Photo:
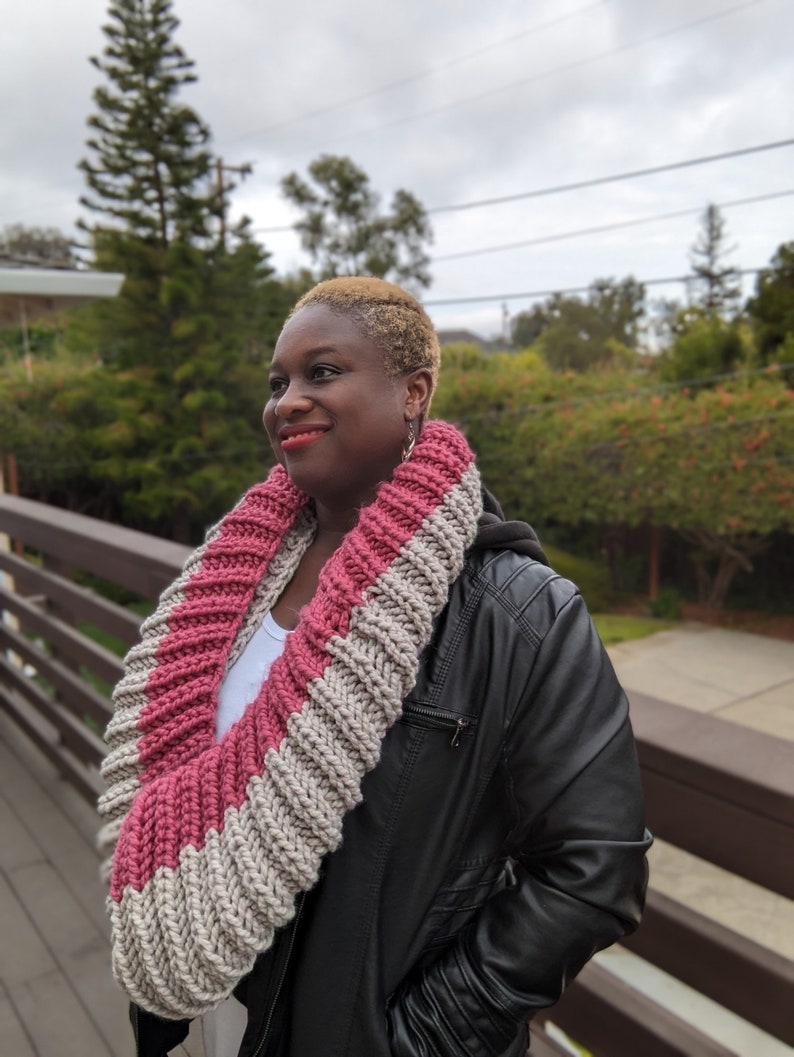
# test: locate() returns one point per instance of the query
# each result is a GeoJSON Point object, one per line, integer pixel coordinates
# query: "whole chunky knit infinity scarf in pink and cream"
{"type": "Point", "coordinates": [214, 841]}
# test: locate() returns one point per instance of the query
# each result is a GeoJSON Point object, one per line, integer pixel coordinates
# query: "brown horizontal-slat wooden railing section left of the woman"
{"type": "Point", "coordinates": [49, 670]}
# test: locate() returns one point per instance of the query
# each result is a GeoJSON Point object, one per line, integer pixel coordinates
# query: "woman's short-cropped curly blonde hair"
{"type": "Point", "coordinates": [386, 314]}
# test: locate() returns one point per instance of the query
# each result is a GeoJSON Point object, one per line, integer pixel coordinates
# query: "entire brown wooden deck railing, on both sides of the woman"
{"type": "Point", "coordinates": [723, 792]}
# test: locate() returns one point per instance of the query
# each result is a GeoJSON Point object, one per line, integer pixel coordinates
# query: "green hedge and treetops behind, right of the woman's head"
{"type": "Point", "coordinates": [584, 432]}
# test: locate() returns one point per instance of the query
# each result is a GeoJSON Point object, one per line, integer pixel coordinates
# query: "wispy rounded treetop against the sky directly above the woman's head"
{"type": "Point", "coordinates": [345, 231]}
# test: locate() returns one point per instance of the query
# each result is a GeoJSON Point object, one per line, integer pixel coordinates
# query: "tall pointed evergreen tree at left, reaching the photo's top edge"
{"type": "Point", "coordinates": [179, 432]}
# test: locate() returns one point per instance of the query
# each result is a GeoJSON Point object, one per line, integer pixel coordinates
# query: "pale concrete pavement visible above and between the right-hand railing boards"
{"type": "Point", "coordinates": [744, 679]}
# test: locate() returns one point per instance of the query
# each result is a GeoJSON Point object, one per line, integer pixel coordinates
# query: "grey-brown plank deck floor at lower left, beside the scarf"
{"type": "Point", "coordinates": [58, 996]}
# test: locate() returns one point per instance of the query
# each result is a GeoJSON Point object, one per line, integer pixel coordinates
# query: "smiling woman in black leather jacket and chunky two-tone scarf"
{"type": "Point", "coordinates": [402, 822]}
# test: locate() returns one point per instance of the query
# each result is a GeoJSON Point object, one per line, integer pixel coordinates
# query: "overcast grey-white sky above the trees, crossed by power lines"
{"type": "Point", "coordinates": [455, 103]}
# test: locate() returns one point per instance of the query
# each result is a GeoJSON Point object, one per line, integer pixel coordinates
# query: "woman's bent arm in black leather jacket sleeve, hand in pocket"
{"type": "Point", "coordinates": [579, 844]}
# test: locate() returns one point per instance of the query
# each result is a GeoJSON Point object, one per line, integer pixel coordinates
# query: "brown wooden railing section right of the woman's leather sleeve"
{"type": "Point", "coordinates": [726, 794]}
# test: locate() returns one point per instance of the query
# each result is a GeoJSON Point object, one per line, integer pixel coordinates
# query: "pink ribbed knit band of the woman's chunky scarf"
{"type": "Point", "coordinates": [190, 782]}
